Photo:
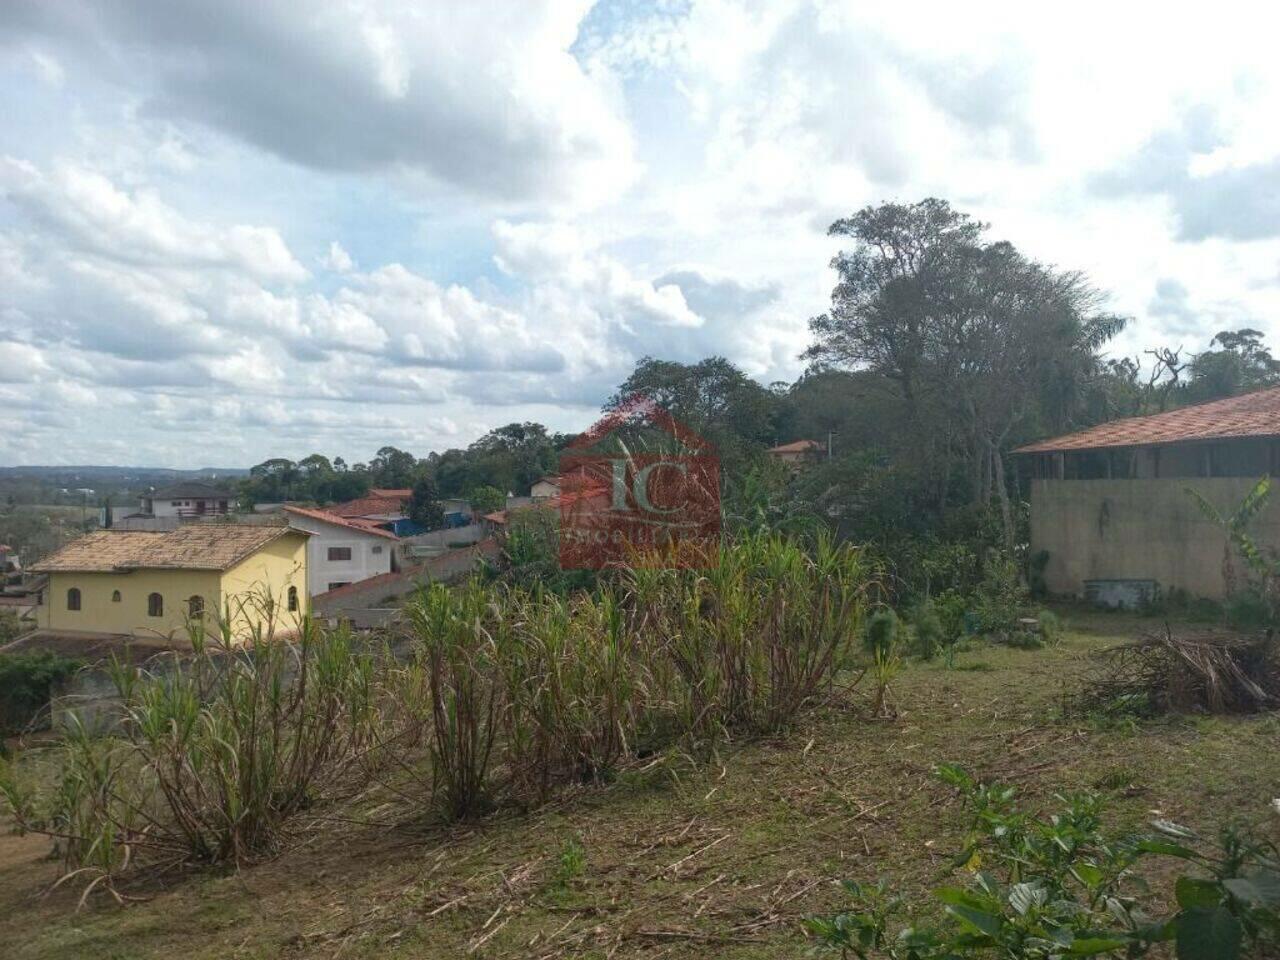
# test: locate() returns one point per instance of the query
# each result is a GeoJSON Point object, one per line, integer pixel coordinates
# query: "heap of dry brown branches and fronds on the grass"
{"type": "Point", "coordinates": [1204, 673]}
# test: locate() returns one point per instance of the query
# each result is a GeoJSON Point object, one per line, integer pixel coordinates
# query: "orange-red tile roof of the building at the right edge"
{"type": "Point", "coordinates": [1249, 415]}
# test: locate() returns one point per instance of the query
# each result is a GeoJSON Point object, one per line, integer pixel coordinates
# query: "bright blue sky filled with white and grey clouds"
{"type": "Point", "coordinates": [267, 228]}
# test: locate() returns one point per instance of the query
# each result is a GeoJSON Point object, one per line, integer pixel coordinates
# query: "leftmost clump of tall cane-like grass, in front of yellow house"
{"type": "Point", "coordinates": [213, 757]}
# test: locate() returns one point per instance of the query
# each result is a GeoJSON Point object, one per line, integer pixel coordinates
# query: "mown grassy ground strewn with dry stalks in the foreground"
{"type": "Point", "coordinates": [674, 860]}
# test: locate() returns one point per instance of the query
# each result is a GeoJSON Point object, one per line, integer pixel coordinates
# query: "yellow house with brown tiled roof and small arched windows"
{"type": "Point", "coordinates": [154, 584]}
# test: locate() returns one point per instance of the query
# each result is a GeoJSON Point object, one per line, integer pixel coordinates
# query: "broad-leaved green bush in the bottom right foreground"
{"type": "Point", "coordinates": [1059, 886]}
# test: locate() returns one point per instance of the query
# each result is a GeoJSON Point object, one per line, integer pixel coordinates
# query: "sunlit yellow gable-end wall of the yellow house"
{"type": "Point", "coordinates": [269, 573]}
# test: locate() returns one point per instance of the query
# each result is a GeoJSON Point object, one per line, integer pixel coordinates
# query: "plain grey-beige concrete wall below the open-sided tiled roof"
{"type": "Point", "coordinates": [1144, 529]}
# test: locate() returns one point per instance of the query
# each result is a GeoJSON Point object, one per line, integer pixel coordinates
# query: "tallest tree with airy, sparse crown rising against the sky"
{"type": "Point", "coordinates": [982, 341]}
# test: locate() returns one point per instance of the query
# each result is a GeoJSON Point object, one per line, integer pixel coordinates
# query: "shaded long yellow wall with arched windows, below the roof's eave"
{"type": "Point", "coordinates": [102, 615]}
